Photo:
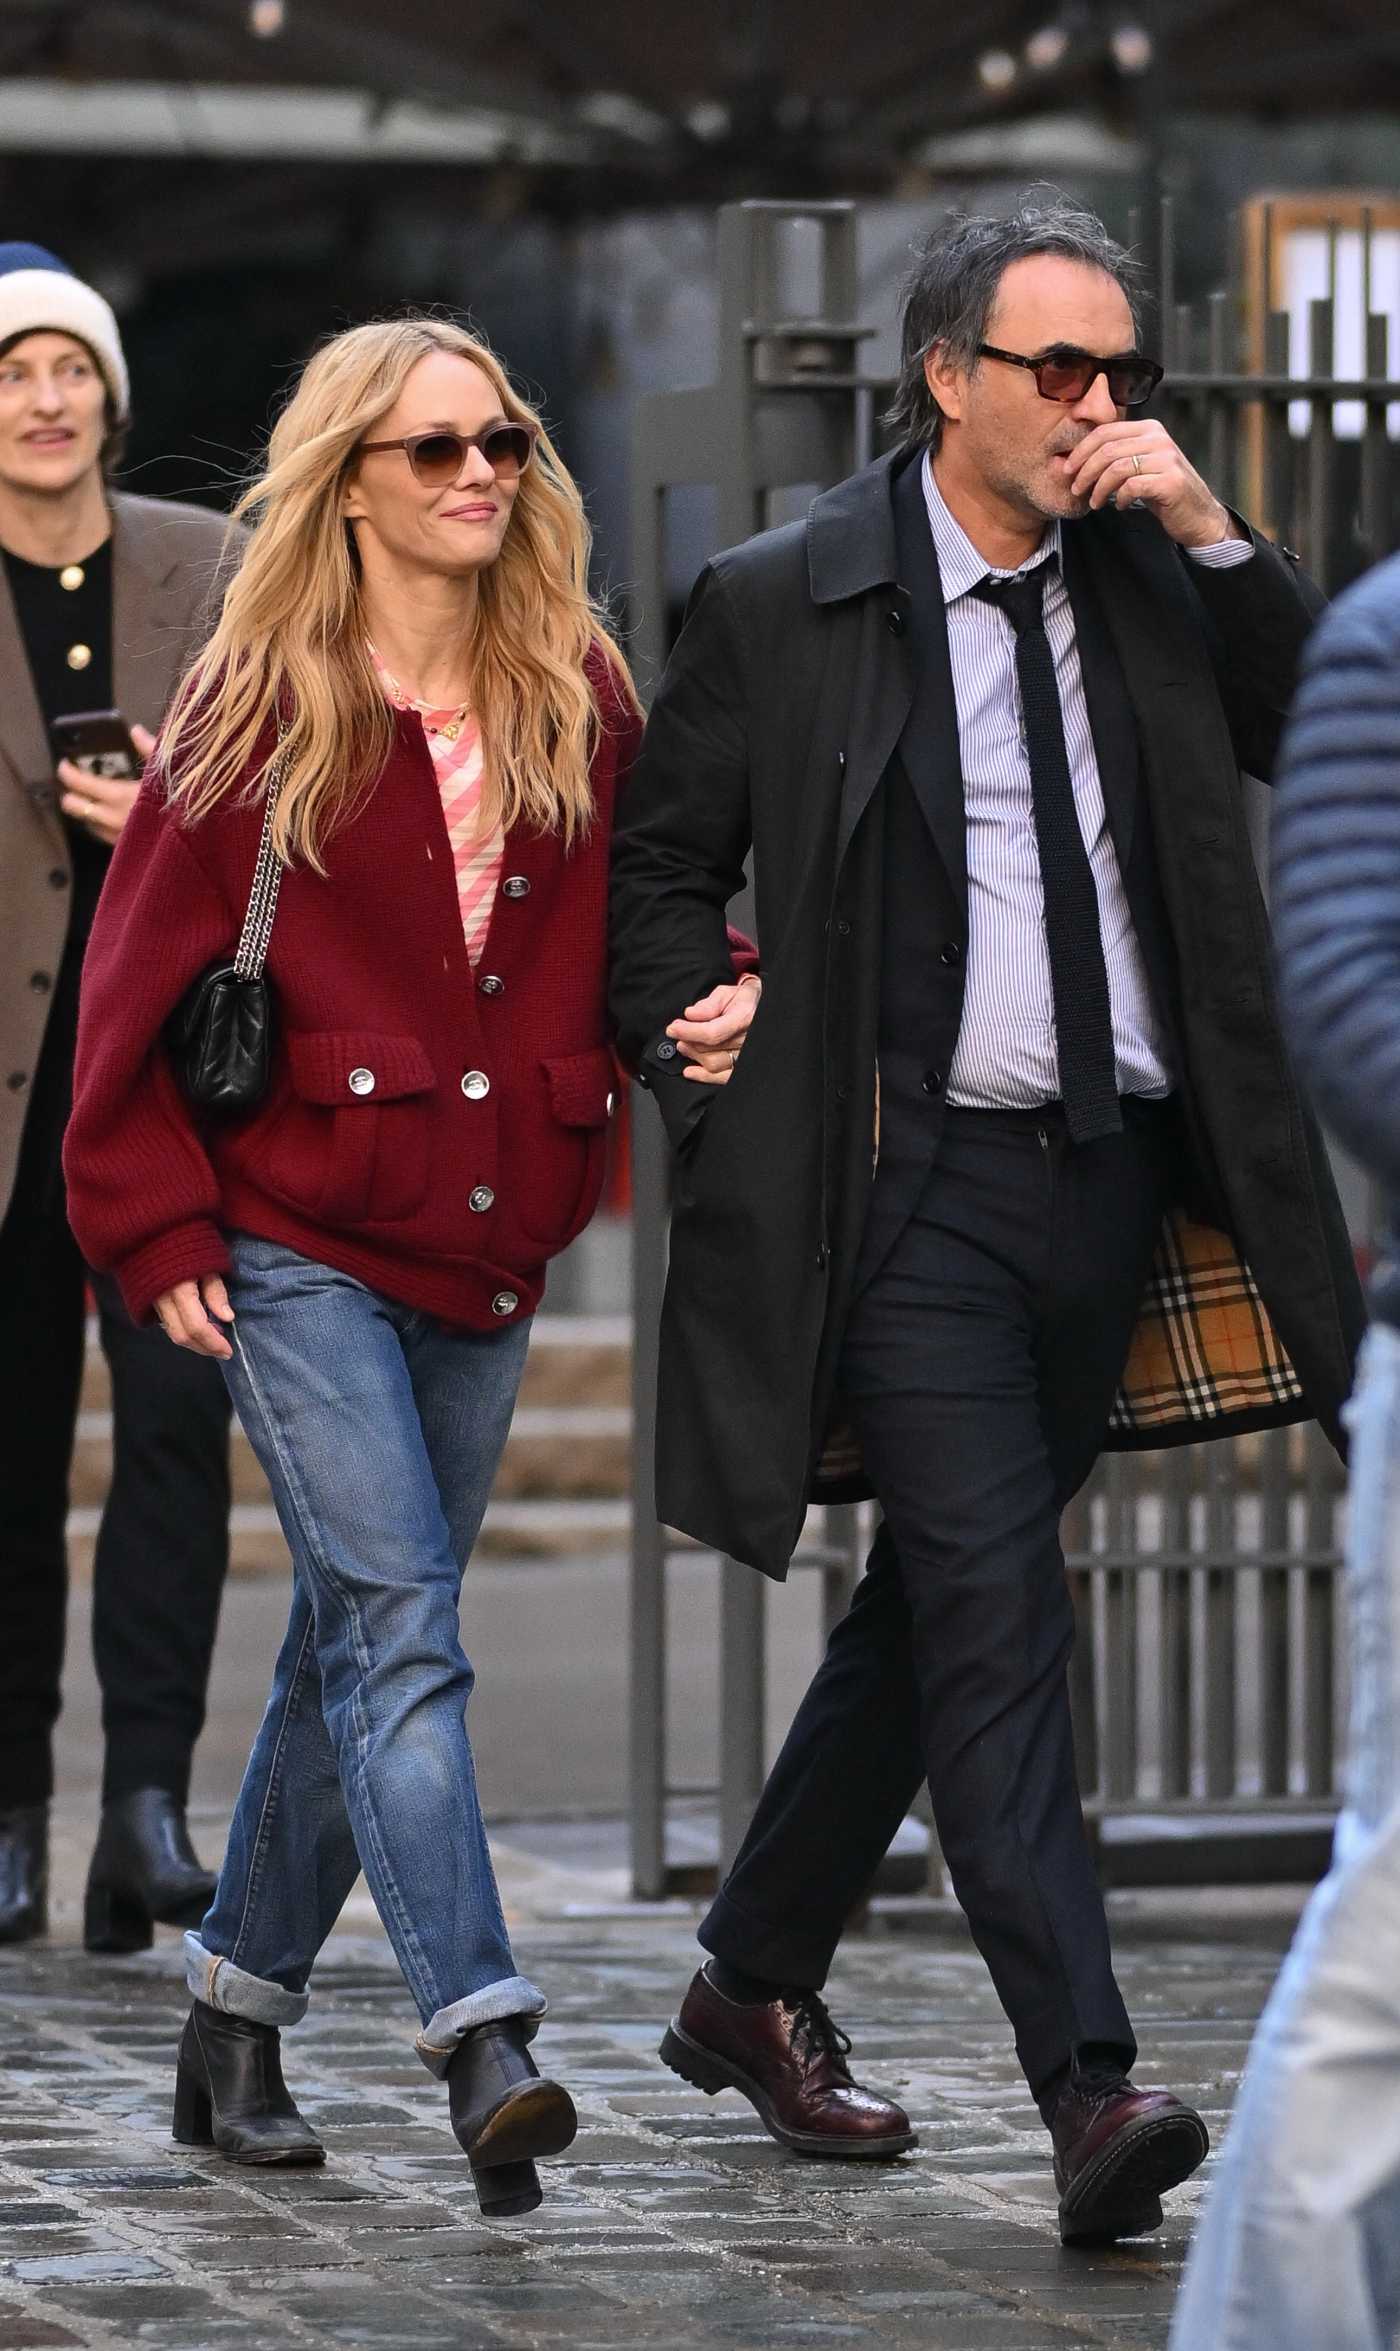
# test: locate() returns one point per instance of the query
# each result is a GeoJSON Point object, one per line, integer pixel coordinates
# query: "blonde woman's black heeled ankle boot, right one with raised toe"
{"type": "Point", "coordinates": [505, 2117]}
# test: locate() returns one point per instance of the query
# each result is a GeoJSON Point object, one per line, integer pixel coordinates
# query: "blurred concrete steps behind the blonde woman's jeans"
{"type": "Point", "coordinates": [561, 1487]}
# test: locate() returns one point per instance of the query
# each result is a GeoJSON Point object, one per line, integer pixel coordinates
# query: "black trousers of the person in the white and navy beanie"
{"type": "Point", "coordinates": [164, 1546]}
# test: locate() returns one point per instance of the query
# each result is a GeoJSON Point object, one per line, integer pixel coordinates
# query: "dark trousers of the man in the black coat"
{"type": "Point", "coordinates": [980, 1367]}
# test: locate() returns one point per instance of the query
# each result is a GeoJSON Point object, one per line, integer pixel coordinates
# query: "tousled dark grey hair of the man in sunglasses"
{"type": "Point", "coordinates": [954, 286]}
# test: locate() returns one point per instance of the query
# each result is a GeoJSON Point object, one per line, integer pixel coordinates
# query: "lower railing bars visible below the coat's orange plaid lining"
{"type": "Point", "coordinates": [1206, 1680]}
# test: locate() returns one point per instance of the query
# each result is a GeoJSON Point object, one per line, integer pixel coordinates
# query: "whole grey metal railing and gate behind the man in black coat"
{"type": "Point", "coordinates": [1206, 1581]}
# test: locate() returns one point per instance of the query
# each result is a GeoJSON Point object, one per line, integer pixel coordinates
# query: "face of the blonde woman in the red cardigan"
{"type": "Point", "coordinates": [451, 530]}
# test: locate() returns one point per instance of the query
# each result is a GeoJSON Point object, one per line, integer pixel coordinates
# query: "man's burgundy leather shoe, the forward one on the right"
{"type": "Point", "coordinates": [1116, 2150]}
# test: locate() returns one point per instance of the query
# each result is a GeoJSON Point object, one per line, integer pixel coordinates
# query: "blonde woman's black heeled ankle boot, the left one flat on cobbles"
{"type": "Point", "coordinates": [229, 2094]}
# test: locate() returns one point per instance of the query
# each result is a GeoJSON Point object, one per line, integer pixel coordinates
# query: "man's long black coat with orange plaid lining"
{"type": "Point", "coordinates": [782, 706]}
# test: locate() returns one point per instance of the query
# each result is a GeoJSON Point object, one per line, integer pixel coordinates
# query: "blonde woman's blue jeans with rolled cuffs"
{"type": "Point", "coordinates": [380, 1433]}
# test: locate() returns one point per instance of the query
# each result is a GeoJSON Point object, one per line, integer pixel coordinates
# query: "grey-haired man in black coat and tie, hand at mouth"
{"type": "Point", "coordinates": [1006, 1165]}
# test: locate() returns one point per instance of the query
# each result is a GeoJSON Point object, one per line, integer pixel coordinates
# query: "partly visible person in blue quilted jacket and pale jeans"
{"type": "Point", "coordinates": [1300, 2246]}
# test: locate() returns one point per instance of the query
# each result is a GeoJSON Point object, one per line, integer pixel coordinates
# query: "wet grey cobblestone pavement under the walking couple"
{"type": "Point", "coordinates": [674, 2221]}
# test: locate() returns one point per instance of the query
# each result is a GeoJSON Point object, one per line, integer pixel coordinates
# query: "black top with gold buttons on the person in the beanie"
{"type": "Point", "coordinates": [55, 619]}
